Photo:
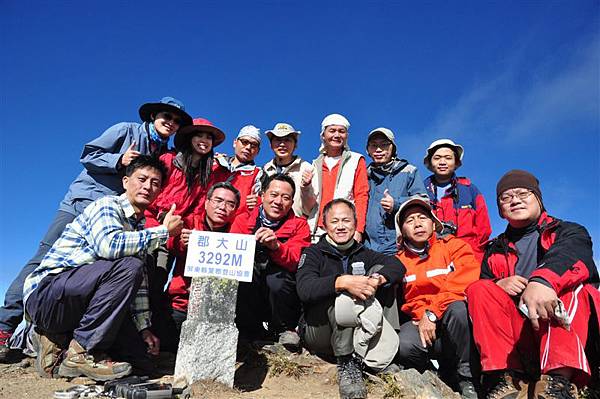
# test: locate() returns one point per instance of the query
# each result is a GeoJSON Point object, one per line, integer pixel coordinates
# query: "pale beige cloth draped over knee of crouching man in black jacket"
{"type": "Point", "coordinates": [375, 340]}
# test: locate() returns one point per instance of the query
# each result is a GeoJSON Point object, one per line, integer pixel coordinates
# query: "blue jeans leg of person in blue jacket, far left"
{"type": "Point", "coordinates": [11, 313]}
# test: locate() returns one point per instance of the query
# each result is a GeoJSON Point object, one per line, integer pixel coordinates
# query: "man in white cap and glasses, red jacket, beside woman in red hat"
{"type": "Point", "coordinates": [245, 175]}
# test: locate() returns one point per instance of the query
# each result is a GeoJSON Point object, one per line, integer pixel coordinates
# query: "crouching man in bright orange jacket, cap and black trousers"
{"type": "Point", "coordinates": [438, 270]}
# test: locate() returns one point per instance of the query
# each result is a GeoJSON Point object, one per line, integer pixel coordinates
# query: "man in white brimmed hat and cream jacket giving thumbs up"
{"type": "Point", "coordinates": [284, 141]}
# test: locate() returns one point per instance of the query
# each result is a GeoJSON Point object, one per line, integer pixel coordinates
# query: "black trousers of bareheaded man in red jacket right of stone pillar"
{"type": "Point", "coordinates": [271, 297]}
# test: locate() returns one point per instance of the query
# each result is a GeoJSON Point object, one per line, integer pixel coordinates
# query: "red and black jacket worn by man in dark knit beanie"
{"type": "Point", "coordinates": [565, 257]}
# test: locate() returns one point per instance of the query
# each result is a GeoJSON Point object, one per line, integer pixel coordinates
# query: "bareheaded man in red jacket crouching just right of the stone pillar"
{"type": "Point", "coordinates": [280, 237]}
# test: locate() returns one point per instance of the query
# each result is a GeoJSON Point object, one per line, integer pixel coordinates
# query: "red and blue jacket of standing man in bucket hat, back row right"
{"type": "Point", "coordinates": [464, 207]}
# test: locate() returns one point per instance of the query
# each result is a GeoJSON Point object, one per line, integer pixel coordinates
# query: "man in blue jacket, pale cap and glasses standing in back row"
{"type": "Point", "coordinates": [391, 182]}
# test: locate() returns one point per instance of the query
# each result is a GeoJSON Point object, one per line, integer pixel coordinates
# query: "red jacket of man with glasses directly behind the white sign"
{"type": "Point", "coordinates": [178, 290]}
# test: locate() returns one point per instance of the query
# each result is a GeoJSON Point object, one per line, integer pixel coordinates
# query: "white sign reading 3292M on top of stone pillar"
{"type": "Point", "coordinates": [223, 255]}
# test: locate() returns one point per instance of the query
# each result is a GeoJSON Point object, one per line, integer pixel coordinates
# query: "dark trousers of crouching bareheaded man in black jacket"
{"type": "Point", "coordinates": [322, 335]}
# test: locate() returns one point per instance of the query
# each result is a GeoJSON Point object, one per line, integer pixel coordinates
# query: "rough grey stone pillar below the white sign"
{"type": "Point", "coordinates": [208, 342]}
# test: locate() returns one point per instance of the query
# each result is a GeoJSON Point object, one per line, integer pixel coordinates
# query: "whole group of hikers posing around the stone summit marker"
{"type": "Point", "coordinates": [363, 264]}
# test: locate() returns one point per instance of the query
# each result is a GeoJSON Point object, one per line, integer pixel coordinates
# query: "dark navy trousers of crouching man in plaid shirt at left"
{"type": "Point", "coordinates": [92, 301]}
